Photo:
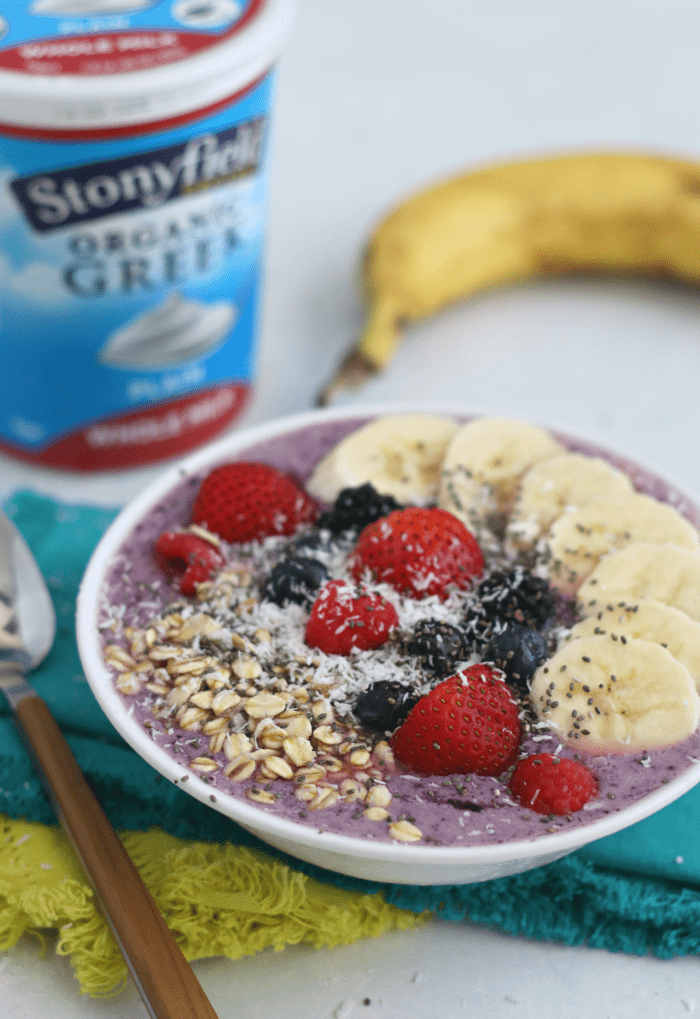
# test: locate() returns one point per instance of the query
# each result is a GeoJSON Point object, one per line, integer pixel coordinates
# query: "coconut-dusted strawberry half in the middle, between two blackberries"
{"type": "Point", "coordinates": [419, 552]}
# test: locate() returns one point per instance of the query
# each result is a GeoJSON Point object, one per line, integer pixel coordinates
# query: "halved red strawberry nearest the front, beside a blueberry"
{"type": "Point", "coordinates": [466, 725]}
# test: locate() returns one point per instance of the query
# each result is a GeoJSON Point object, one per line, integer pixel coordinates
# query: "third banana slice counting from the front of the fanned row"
{"type": "Point", "coordinates": [644, 570]}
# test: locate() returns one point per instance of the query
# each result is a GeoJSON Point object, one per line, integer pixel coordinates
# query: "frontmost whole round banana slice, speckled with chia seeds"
{"type": "Point", "coordinates": [605, 696]}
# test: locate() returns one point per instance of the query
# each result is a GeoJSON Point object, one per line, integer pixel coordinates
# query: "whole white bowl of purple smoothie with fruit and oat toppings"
{"type": "Point", "coordinates": [410, 646]}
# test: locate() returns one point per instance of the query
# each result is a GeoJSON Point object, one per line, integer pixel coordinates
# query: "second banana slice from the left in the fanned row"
{"type": "Point", "coordinates": [484, 463]}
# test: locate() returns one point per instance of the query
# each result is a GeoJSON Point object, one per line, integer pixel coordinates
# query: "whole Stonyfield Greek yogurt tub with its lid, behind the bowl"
{"type": "Point", "coordinates": [134, 168]}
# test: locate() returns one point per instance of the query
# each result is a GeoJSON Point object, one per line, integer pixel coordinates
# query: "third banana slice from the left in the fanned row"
{"type": "Point", "coordinates": [558, 485]}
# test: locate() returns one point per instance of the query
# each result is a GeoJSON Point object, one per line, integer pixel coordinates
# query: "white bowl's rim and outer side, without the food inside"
{"type": "Point", "coordinates": [395, 863]}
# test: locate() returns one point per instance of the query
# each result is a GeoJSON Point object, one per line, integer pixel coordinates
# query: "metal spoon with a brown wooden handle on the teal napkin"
{"type": "Point", "coordinates": [28, 626]}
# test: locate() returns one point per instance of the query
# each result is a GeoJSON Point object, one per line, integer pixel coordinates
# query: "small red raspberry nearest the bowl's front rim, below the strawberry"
{"type": "Point", "coordinates": [552, 785]}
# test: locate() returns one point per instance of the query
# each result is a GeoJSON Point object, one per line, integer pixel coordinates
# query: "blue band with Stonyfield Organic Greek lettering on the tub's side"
{"type": "Point", "coordinates": [130, 270]}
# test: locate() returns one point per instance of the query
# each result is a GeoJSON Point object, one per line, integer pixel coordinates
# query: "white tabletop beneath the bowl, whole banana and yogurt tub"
{"type": "Point", "coordinates": [375, 99]}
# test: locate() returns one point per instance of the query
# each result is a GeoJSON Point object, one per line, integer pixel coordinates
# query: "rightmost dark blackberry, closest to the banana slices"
{"type": "Point", "coordinates": [517, 596]}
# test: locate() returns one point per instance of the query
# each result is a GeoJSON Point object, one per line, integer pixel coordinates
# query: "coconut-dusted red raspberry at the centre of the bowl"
{"type": "Point", "coordinates": [345, 618]}
